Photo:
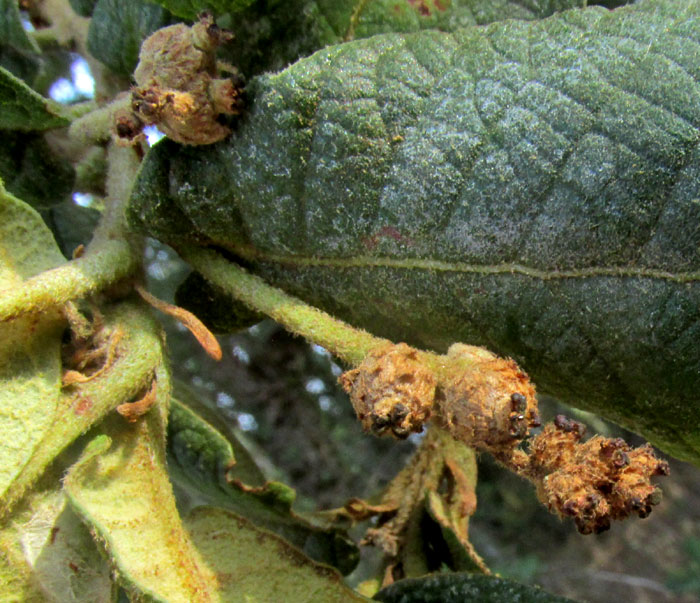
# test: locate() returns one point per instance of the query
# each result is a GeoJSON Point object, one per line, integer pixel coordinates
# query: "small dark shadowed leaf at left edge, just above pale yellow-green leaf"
{"type": "Point", "coordinates": [32, 171]}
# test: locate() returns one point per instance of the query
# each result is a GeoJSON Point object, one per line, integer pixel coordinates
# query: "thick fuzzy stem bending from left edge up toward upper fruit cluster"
{"type": "Point", "coordinates": [112, 255]}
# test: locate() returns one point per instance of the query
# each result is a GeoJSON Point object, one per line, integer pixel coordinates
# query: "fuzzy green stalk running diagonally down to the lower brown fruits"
{"type": "Point", "coordinates": [346, 342]}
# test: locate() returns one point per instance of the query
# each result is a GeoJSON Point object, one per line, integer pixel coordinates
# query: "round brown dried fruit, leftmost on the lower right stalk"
{"type": "Point", "coordinates": [391, 391]}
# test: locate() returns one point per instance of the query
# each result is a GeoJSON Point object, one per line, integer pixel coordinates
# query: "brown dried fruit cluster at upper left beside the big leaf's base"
{"type": "Point", "coordinates": [178, 87]}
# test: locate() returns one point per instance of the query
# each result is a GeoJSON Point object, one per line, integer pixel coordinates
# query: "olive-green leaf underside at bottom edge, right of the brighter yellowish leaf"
{"type": "Point", "coordinates": [252, 564]}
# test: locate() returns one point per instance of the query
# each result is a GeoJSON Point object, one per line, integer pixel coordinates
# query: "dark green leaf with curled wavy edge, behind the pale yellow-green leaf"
{"type": "Point", "coordinates": [199, 457]}
